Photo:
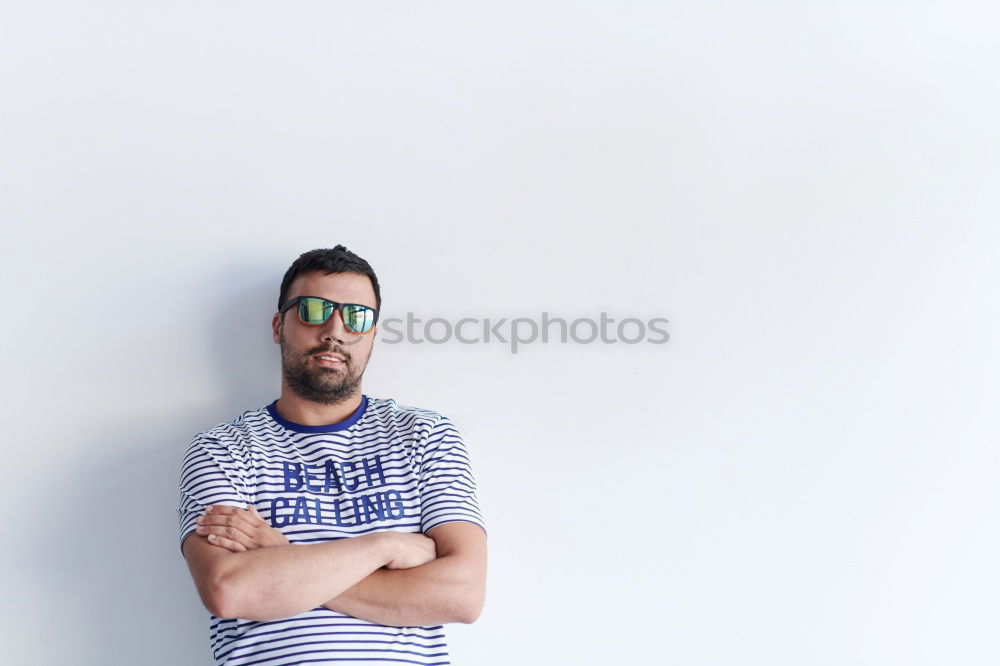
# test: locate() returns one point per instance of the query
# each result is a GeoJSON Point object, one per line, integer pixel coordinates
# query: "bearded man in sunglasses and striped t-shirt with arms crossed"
{"type": "Point", "coordinates": [331, 526]}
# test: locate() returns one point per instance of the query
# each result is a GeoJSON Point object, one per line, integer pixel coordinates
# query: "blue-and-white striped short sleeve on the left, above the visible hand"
{"type": "Point", "coordinates": [209, 475]}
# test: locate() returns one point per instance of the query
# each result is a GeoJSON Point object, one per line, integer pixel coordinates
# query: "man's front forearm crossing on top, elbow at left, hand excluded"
{"type": "Point", "coordinates": [280, 581]}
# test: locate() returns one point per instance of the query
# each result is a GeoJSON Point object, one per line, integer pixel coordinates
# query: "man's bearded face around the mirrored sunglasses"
{"type": "Point", "coordinates": [305, 373]}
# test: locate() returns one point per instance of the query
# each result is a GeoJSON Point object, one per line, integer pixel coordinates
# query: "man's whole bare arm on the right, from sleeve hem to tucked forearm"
{"type": "Point", "coordinates": [451, 588]}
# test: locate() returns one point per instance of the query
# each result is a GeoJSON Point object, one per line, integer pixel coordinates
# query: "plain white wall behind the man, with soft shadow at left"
{"type": "Point", "coordinates": [804, 474]}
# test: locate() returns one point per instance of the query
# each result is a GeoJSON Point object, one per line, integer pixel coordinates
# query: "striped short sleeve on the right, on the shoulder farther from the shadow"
{"type": "Point", "coordinates": [447, 486]}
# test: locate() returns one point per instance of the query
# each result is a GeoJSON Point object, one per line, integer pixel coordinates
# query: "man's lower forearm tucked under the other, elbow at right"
{"type": "Point", "coordinates": [433, 593]}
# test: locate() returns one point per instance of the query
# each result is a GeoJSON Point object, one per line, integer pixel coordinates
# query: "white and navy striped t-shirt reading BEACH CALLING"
{"type": "Point", "coordinates": [387, 467]}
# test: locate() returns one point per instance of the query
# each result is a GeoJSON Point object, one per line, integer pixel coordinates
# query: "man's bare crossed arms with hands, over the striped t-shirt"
{"type": "Point", "coordinates": [276, 581]}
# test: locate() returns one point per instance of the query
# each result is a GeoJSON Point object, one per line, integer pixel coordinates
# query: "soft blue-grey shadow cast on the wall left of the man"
{"type": "Point", "coordinates": [115, 551]}
